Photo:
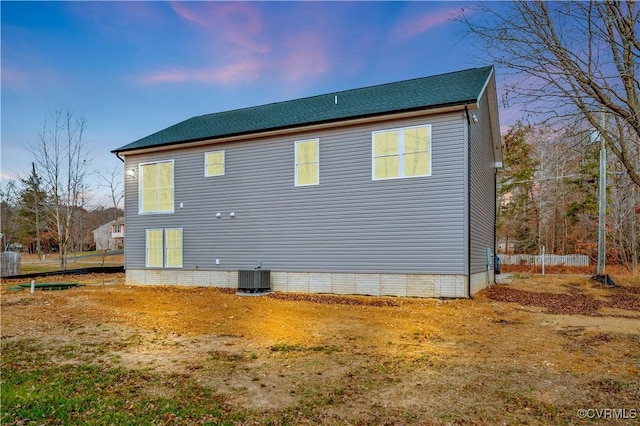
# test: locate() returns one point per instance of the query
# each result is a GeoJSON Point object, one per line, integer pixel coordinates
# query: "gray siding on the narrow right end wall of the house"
{"type": "Point", "coordinates": [482, 190]}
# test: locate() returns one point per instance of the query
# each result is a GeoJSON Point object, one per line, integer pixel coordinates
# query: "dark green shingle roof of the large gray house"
{"type": "Point", "coordinates": [456, 88]}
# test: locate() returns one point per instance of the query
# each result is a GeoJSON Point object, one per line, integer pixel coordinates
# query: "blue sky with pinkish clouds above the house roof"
{"type": "Point", "coordinates": [133, 68]}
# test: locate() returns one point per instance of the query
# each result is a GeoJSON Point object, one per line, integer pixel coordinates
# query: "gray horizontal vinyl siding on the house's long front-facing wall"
{"type": "Point", "coordinates": [346, 223]}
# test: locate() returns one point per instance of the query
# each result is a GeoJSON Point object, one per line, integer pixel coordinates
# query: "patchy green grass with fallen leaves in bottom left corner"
{"type": "Point", "coordinates": [36, 390]}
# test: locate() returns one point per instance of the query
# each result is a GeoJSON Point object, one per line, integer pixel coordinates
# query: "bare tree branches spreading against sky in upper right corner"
{"type": "Point", "coordinates": [569, 62]}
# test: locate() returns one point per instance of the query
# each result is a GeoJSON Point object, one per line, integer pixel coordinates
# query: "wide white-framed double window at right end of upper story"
{"type": "Point", "coordinates": [401, 153]}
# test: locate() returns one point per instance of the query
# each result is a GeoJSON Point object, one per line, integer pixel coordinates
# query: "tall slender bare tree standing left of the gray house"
{"type": "Point", "coordinates": [62, 160]}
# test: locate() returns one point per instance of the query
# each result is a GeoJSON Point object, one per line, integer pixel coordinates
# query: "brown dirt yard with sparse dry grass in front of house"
{"type": "Point", "coordinates": [536, 350]}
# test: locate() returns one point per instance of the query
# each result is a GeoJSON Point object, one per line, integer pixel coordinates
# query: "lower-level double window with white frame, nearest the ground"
{"type": "Point", "coordinates": [164, 248]}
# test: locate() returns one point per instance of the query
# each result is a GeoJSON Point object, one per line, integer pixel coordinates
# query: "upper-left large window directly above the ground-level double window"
{"type": "Point", "coordinates": [156, 187]}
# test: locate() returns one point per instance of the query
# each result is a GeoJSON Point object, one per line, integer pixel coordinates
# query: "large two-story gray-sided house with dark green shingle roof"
{"type": "Point", "coordinates": [382, 190]}
